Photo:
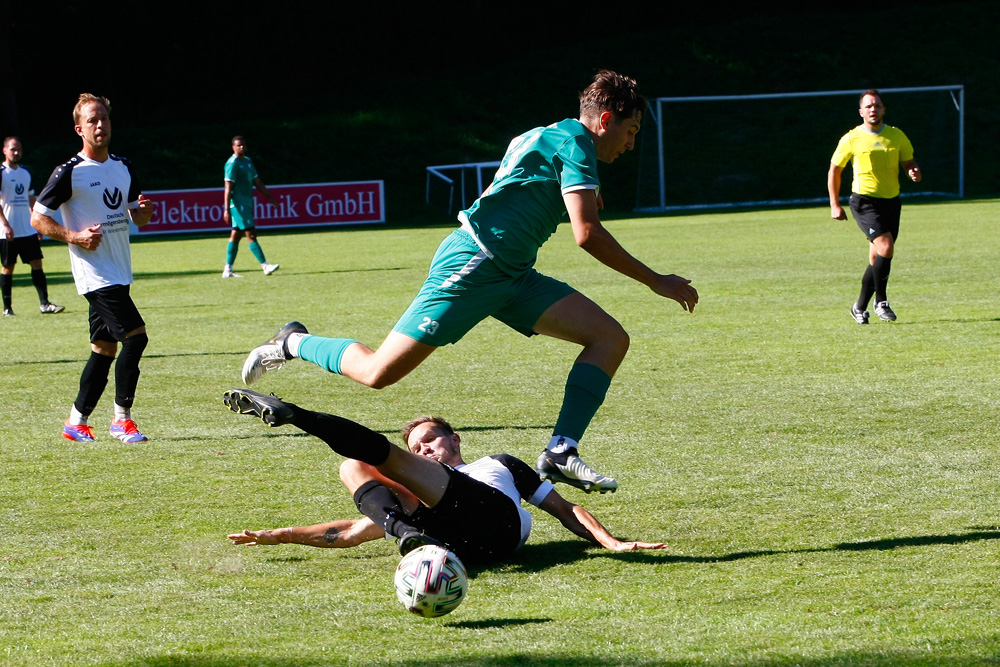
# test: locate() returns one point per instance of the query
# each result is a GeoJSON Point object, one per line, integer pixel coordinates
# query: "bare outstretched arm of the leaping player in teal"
{"type": "Point", "coordinates": [592, 236]}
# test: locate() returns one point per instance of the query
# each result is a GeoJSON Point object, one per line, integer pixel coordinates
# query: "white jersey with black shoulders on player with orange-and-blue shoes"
{"type": "Point", "coordinates": [85, 193]}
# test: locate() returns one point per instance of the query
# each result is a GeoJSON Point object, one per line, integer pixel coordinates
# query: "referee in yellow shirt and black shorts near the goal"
{"type": "Point", "coordinates": [877, 150]}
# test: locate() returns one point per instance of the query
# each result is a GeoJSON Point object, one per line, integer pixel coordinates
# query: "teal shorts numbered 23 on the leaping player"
{"type": "Point", "coordinates": [464, 287]}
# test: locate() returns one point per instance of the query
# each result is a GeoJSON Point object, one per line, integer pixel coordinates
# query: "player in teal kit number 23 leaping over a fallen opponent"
{"type": "Point", "coordinates": [485, 268]}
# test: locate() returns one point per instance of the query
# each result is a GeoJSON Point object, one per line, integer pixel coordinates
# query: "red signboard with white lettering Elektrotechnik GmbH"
{"type": "Point", "coordinates": [355, 203]}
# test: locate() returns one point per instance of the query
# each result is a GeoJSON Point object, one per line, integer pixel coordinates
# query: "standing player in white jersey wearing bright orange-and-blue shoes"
{"type": "Point", "coordinates": [96, 194]}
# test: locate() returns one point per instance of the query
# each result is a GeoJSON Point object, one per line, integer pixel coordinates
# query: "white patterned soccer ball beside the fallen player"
{"type": "Point", "coordinates": [431, 581]}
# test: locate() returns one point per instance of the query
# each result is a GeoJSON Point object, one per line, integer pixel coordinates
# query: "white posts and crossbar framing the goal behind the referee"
{"type": "Point", "coordinates": [656, 107]}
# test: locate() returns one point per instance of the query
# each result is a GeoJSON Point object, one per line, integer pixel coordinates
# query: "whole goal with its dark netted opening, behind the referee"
{"type": "Point", "coordinates": [722, 151]}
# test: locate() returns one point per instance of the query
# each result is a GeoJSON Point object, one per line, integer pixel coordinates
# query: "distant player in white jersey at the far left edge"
{"type": "Point", "coordinates": [17, 238]}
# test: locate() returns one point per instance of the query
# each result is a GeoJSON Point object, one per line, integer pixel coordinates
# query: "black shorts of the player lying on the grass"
{"type": "Point", "coordinates": [476, 521]}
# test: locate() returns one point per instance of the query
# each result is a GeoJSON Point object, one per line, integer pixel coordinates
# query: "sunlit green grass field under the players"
{"type": "Point", "coordinates": [828, 491]}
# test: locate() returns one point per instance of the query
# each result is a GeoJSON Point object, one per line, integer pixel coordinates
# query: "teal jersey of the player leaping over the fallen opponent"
{"type": "Point", "coordinates": [523, 205]}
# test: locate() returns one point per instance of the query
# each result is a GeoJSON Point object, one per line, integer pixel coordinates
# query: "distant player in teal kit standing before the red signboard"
{"type": "Point", "coordinates": [241, 177]}
